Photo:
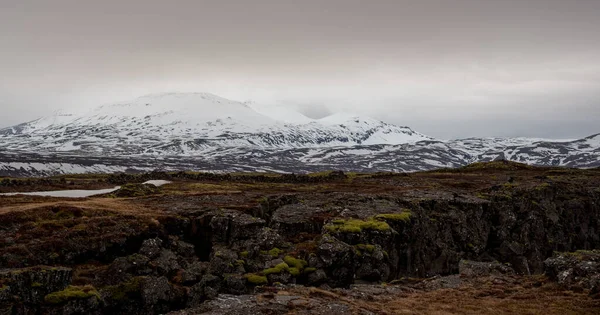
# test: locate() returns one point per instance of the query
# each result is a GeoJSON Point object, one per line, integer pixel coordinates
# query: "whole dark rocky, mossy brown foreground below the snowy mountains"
{"type": "Point", "coordinates": [488, 238]}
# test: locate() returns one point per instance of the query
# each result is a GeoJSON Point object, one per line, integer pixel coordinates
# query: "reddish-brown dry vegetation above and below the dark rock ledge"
{"type": "Point", "coordinates": [34, 226]}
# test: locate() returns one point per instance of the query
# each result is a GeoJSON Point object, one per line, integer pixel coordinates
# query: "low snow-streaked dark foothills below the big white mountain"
{"type": "Point", "coordinates": [409, 157]}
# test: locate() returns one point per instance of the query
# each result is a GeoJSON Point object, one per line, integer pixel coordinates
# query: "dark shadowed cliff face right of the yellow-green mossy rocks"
{"type": "Point", "coordinates": [521, 230]}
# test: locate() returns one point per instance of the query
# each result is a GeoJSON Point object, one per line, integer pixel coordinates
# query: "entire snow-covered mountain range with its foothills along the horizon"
{"type": "Point", "coordinates": [201, 131]}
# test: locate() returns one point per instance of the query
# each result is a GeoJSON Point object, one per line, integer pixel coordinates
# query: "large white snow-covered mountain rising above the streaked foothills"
{"type": "Point", "coordinates": [188, 124]}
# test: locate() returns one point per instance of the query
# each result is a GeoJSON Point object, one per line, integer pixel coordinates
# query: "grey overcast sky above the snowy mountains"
{"type": "Point", "coordinates": [446, 68]}
